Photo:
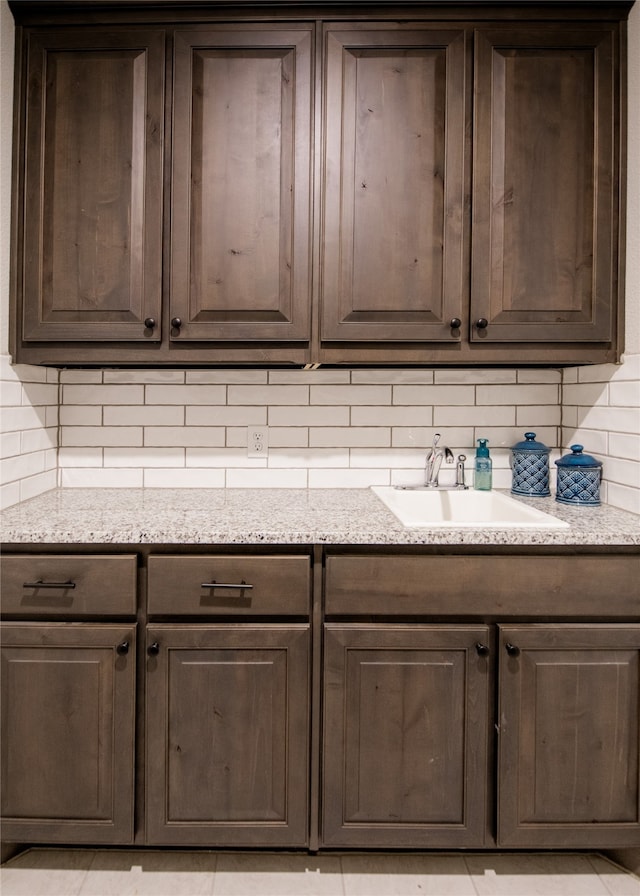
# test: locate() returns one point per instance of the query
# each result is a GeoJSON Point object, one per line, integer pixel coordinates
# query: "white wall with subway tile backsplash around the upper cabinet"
{"type": "Point", "coordinates": [327, 428]}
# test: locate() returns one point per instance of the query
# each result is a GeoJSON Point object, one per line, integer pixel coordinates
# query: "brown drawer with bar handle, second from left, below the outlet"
{"type": "Point", "coordinates": [221, 585]}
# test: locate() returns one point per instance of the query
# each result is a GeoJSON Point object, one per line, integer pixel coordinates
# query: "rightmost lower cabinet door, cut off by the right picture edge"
{"type": "Point", "coordinates": [569, 736]}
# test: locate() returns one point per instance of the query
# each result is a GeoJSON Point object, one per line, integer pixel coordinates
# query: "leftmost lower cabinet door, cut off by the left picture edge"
{"type": "Point", "coordinates": [68, 699]}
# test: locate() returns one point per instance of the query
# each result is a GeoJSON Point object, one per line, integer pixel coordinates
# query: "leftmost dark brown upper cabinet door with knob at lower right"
{"type": "Point", "coordinates": [92, 256]}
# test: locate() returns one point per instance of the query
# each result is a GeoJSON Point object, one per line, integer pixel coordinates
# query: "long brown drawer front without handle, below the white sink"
{"type": "Point", "coordinates": [541, 585]}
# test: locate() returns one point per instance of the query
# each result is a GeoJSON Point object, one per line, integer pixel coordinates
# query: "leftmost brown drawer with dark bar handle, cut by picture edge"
{"type": "Point", "coordinates": [56, 585]}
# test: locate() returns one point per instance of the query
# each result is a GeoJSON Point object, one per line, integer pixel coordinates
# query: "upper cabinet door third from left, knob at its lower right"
{"type": "Point", "coordinates": [394, 173]}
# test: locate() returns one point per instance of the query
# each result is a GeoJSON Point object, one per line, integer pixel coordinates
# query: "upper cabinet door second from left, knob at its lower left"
{"type": "Point", "coordinates": [241, 236]}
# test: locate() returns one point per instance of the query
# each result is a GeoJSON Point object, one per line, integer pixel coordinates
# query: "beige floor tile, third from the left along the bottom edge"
{"type": "Point", "coordinates": [277, 875]}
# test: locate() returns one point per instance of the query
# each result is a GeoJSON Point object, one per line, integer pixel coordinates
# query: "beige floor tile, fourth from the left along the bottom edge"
{"type": "Point", "coordinates": [406, 875]}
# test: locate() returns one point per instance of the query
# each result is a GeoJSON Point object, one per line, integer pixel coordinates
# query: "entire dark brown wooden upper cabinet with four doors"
{"type": "Point", "coordinates": [319, 187]}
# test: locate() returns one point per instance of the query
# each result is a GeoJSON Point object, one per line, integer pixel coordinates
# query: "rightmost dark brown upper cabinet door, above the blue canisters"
{"type": "Point", "coordinates": [545, 185]}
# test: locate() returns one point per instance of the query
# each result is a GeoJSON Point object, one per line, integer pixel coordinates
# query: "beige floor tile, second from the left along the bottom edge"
{"type": "Point", "coordinates": [148, 873]}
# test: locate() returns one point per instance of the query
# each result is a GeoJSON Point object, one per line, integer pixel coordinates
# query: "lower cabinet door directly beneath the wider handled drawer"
{"type": "Point", "coordinates": [227, 735]}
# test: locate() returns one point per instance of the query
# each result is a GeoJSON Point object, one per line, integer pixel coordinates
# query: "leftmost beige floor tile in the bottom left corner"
{"type": "Point", "coordinates": [44, 872]}
